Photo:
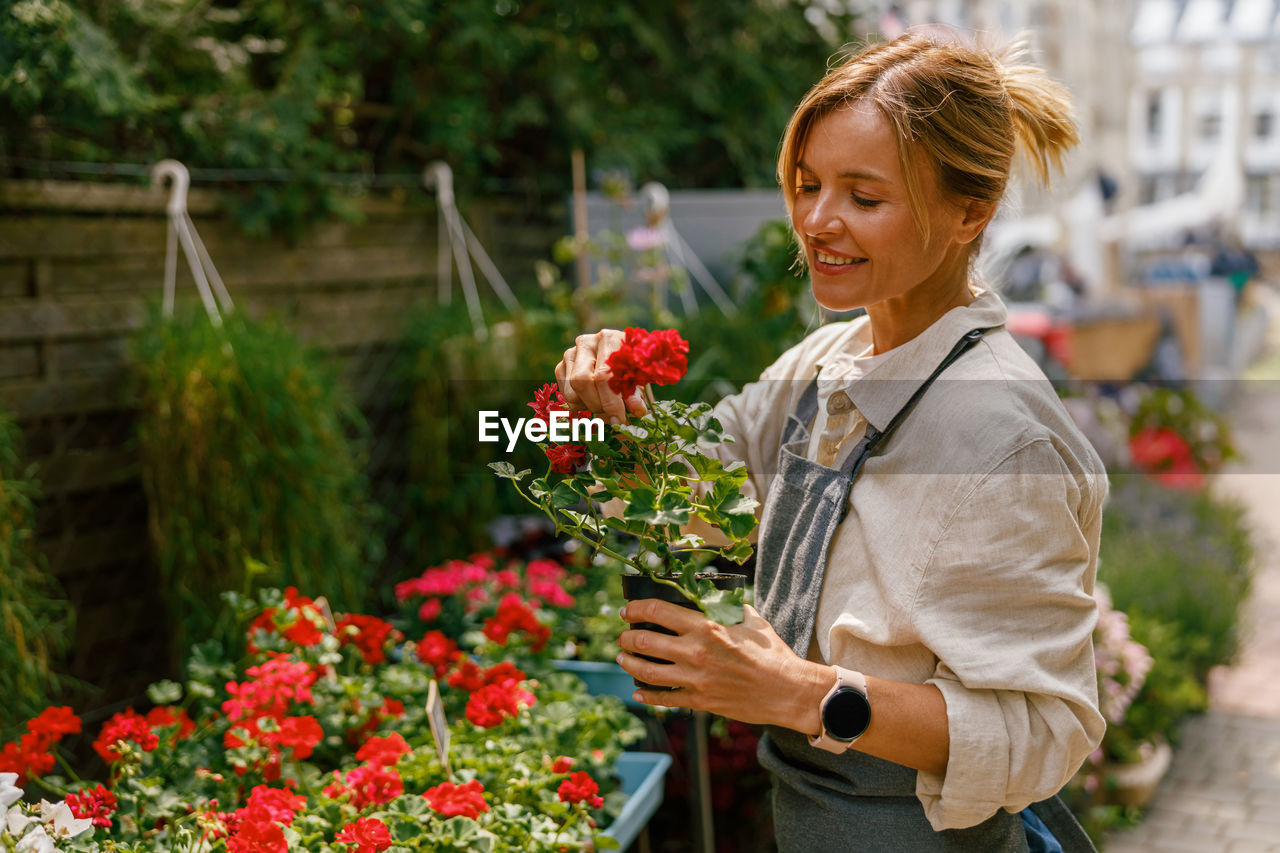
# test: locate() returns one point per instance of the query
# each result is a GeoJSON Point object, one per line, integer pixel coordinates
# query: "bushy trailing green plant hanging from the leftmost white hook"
{"type": "Point", "coordinates": [248, 455]}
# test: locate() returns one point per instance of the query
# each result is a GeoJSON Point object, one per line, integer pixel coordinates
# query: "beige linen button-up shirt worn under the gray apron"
{"type": "Point", "coordinates": [970, 554]}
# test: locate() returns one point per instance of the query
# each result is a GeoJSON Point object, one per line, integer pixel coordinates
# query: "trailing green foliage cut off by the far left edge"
{"type": "Point", "coordinates": [35, 617]}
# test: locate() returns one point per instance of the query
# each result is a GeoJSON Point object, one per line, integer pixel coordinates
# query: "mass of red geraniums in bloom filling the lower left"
{"type": "Point", "coordinates": [318, 740]}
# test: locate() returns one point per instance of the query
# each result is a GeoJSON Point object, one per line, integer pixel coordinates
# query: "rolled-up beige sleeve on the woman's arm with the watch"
{"type": "Point", "coordinates": [1007, 606]}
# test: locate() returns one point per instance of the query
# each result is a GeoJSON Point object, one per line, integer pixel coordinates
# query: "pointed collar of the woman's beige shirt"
{"type": "Point", "coordinates": [885, 389]}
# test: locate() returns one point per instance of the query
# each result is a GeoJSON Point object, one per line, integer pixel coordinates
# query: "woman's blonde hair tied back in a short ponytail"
{"type": "Point", "coordinates": [964, 110]}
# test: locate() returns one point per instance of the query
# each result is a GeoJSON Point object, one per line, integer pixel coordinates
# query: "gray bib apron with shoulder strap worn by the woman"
{"type": "Point", "coordinates": [853, 802]}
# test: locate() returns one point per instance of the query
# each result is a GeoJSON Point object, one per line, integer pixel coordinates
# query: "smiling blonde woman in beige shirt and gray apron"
{"type": "Point", "coordinates": [922, 660]}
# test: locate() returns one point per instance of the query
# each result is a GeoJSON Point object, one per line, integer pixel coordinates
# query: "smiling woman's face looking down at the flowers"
{"type": "Point", "coordinates": [852, 213]}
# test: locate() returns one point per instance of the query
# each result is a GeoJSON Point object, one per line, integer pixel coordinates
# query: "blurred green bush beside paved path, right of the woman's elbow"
{"type": "Point", "coordinates": [1182, 560]}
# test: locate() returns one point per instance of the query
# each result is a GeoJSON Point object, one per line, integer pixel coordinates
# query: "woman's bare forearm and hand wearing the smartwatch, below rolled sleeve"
{"type": "Point", "coordinates": [747, 673]}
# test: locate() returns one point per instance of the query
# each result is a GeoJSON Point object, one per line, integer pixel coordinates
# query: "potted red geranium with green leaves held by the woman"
{"type": "Point", "coordinates": [657, 467]}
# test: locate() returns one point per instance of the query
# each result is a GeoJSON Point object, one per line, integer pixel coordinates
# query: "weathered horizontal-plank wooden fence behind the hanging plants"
{"type": "Point", "coordinates": [79, 263]}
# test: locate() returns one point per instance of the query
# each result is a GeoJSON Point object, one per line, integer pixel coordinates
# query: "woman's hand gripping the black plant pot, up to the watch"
{"type": "Point", "coordinates": [742, 672]}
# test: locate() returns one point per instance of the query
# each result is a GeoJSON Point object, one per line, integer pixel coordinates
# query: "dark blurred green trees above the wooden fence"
{"type": "Point", "coordinates": [691, 93]}
